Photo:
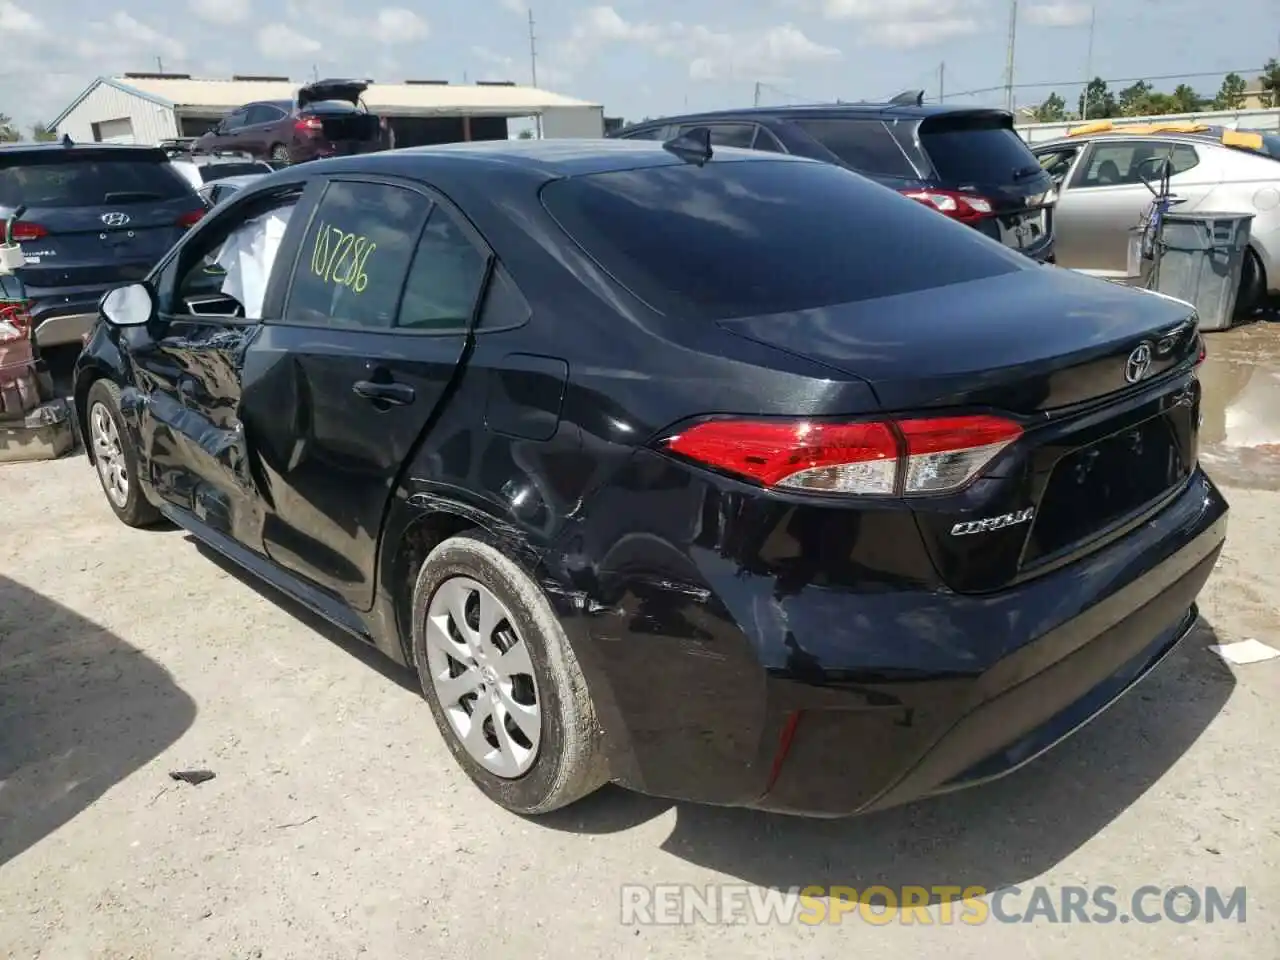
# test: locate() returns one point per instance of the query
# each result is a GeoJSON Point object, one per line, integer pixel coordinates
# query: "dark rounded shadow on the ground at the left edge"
{"type": "Point", "coordinates": [80, 711]}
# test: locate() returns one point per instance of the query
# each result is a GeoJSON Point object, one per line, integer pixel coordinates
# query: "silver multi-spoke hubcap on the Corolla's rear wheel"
{"type": "Point", "coordinates": [483, 676]}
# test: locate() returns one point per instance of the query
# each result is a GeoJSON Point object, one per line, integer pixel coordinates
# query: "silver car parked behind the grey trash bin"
{"type": "Point", "coordinates": [1101, 193]}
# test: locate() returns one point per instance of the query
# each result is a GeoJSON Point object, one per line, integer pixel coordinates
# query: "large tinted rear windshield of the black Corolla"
{"type": "Point", "coordinates": [757, 237]}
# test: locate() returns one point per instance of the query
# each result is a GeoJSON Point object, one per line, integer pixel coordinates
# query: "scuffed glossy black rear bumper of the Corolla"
{"type": "Point", "coordinates": [829, 703]}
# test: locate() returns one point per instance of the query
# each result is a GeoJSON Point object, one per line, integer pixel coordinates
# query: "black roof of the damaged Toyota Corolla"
{"type": "Point", "coordinates": [550, 158]}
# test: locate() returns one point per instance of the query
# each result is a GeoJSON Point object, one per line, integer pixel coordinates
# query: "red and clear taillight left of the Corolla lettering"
{"type": "Point", "coordinates": [900, 458]}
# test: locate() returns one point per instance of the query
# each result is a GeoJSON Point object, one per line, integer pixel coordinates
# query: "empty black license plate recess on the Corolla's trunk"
{"type": "Point", "coordinates": [1105, 483]}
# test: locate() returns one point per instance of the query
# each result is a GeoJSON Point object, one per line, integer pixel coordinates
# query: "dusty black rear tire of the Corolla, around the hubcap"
{"type": "Point", "coordinates": [570, 764]}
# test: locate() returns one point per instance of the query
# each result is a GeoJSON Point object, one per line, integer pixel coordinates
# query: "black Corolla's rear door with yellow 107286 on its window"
{"type": "Point", "coordinates": [341, 388]}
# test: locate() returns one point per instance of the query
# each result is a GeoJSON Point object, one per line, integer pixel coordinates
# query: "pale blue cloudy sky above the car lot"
{"type": "Point", "coordinates": [636, 58]}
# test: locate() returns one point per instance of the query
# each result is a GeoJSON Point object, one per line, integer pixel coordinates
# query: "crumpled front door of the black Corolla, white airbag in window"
{"type": "Point", "coordinates": [213, 295]}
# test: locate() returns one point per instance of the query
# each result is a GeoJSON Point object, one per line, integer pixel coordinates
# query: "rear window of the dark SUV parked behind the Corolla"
{"type": "Point", "coordinates": [976, 150]}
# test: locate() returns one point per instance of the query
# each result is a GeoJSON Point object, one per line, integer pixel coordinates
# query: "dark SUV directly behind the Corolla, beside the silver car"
{"type": "Point", "coordinates": [963, 162]}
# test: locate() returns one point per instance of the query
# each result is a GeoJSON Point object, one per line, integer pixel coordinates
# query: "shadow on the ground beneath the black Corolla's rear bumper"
{"type": "Point", "coordinates": [991, 836]}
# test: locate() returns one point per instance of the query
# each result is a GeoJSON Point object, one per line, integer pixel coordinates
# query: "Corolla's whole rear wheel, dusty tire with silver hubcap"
{"type": "Point", "coordinates": [502, 680]}
